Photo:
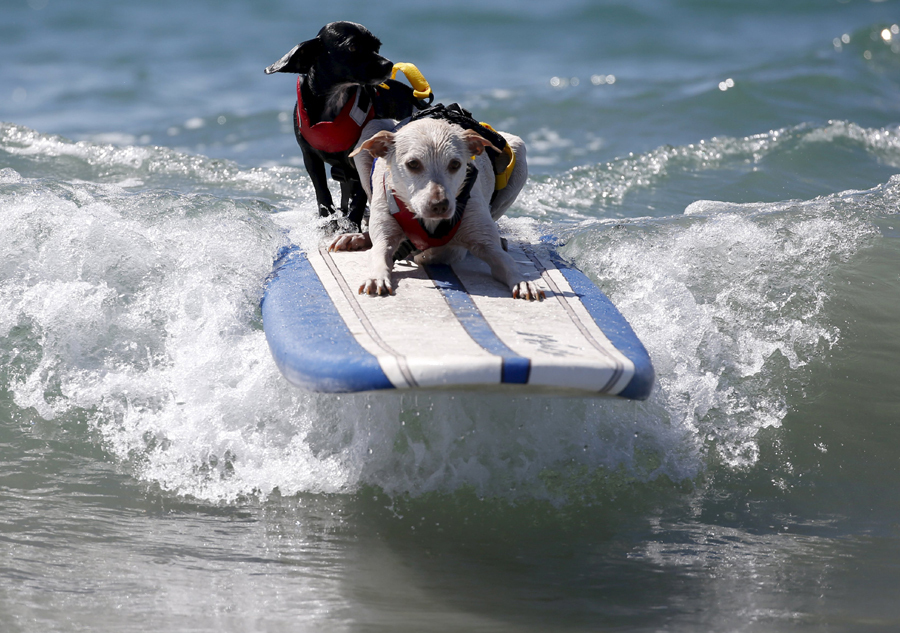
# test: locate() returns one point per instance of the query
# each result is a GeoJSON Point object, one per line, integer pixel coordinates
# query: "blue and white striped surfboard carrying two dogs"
{"type": "Point", "coordinates": [449, 327]}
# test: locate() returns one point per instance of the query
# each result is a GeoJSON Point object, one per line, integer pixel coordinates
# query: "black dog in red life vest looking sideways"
{"type": "Point", "coordinates": [338, 93]}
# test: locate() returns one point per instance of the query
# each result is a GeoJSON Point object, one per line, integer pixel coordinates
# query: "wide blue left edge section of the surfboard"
{"type": "Point", "coordinates": [327, 357]}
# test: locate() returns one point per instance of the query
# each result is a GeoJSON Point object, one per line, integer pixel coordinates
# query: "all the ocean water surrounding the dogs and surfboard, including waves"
{"type": "Point", "coordinates": [729, 174]}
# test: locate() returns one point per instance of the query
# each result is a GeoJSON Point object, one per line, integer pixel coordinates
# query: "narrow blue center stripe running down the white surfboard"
{"type": "Point", "coordinates": [515, 369]}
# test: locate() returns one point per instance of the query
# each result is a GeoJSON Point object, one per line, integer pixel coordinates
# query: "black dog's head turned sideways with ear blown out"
{"type": "Point", "coordinates": [342, 52]}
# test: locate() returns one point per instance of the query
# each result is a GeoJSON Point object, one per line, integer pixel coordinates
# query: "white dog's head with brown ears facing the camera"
{"type": "Point", "coordinates": [428, 164]}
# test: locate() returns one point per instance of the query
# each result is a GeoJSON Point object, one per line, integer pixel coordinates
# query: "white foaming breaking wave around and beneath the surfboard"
{"type": "Point", "coordinates": [129, 296]}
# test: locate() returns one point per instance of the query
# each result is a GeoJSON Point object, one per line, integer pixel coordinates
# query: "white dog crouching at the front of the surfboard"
{"type": "Point", "coordinates": [432, 183]}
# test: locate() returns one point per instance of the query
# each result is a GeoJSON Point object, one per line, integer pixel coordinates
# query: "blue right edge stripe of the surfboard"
{"type": "Point", "coordinates": [614, 326]}
